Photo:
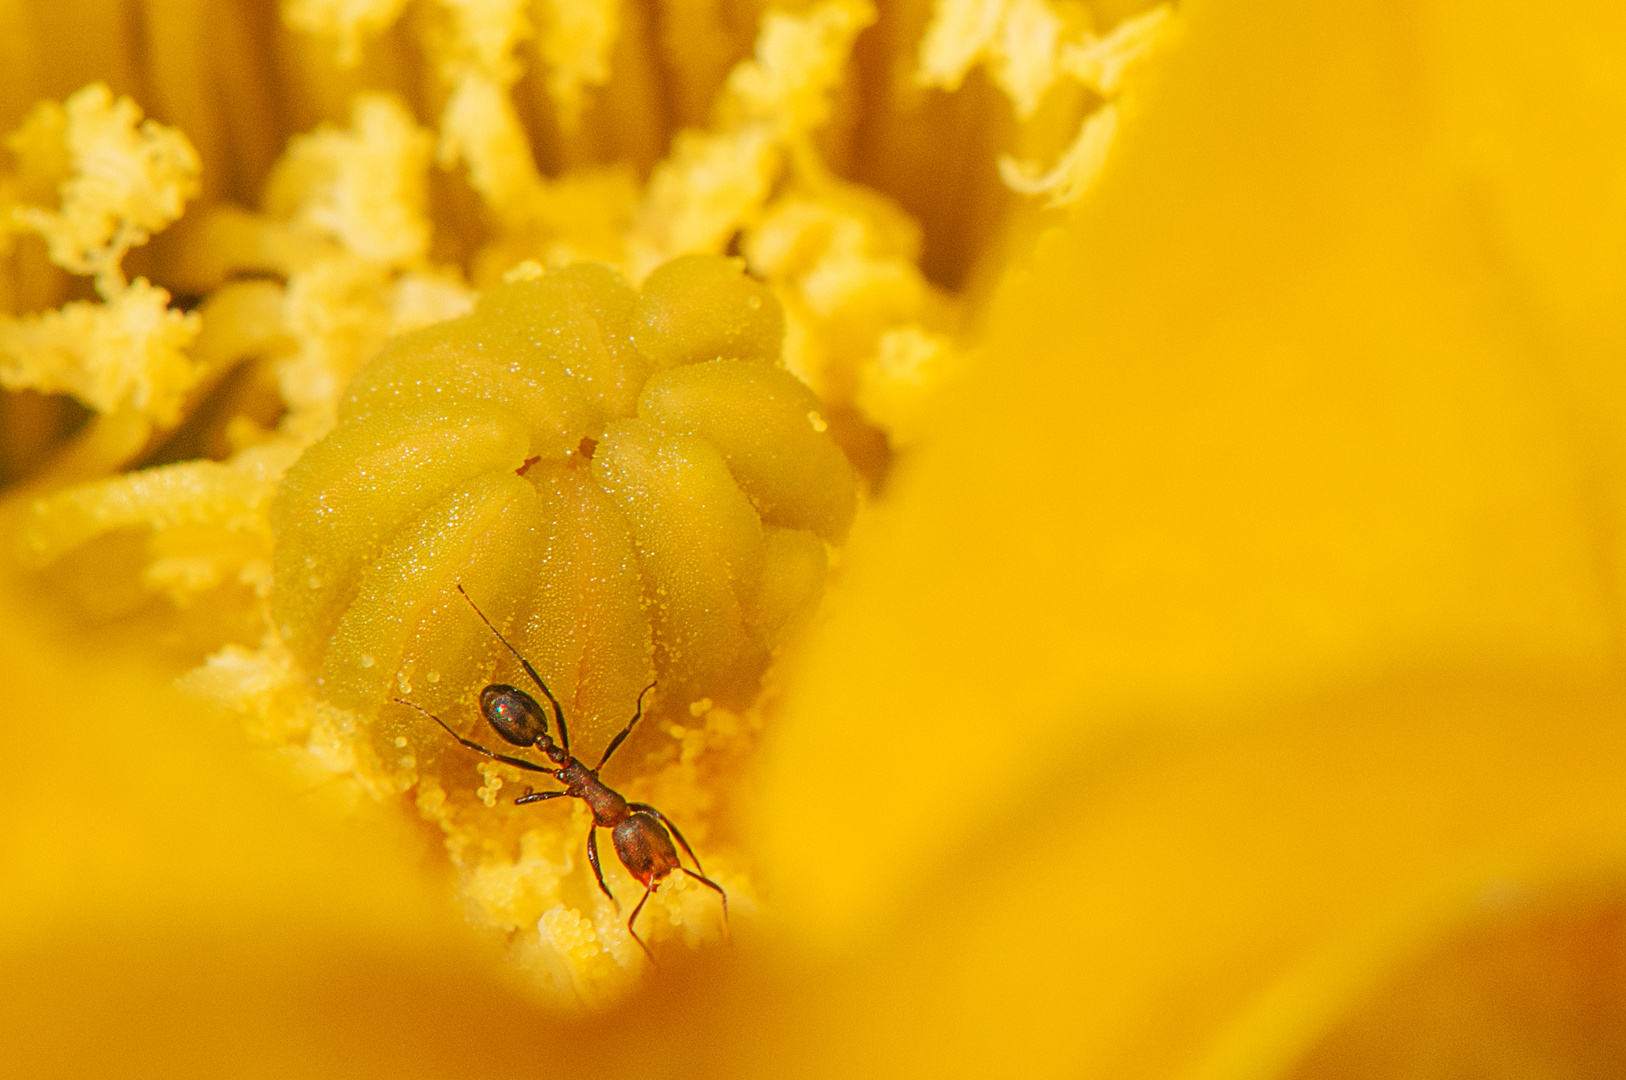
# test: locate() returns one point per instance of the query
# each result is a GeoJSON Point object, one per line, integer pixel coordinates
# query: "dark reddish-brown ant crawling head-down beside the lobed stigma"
{"type": "Point", "coordinates": [638, 830]}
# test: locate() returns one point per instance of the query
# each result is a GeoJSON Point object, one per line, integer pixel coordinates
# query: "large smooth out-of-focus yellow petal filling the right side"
{"type": "Point", "coordinates": [1259, 596]}
